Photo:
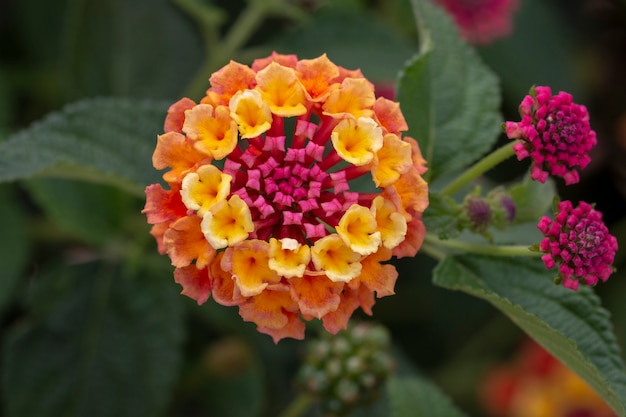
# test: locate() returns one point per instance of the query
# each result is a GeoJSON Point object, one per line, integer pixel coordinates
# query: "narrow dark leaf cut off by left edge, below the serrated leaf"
{"type": "Point", "coordinates": [14, 245]}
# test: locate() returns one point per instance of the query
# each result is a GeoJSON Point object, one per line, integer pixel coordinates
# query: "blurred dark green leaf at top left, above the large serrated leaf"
{"type": "Point", "coordinates": [108, 47]}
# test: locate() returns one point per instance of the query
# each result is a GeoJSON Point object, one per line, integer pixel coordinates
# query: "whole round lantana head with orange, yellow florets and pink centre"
{"type": "Point", "coordinates": [290, 187]}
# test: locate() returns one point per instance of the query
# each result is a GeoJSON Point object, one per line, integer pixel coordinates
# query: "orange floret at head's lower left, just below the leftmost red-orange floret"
{"type": "Point", "coordinates": [185, 242]}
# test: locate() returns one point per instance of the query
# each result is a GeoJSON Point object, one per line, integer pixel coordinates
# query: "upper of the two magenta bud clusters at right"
{"type": "Point", "coordinates": [554, 133]}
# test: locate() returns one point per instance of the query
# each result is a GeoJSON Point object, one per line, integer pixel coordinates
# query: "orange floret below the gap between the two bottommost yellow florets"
{"type": "Point", "coordinates": [316, 295]}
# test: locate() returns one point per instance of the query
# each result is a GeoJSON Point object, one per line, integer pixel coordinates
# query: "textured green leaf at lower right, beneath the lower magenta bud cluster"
{"type": "Point", "coordinates": [571, 325]}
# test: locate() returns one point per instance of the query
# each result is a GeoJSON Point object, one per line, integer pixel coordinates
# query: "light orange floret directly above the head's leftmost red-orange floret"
{"type": "Point", "coordinates": [173, 150]}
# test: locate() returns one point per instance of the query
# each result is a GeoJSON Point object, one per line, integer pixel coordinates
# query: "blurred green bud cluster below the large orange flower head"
{"type": "Point", "coordinates": [347, 369]}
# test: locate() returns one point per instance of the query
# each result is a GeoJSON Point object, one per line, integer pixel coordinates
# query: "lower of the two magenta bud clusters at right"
{"type": "Point", "coordinates": [579, 242]}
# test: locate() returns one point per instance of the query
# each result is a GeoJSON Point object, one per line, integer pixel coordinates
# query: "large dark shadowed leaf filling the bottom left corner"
{"type": "Point", "coordinates": [97, 342]}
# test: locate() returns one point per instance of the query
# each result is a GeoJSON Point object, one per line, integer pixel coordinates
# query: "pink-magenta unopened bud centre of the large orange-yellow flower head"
{"type": "Point", "coordinates": [287, 183]}
